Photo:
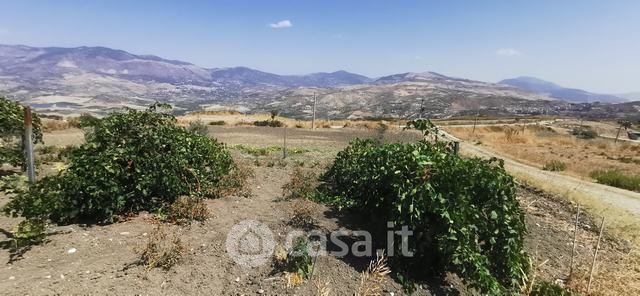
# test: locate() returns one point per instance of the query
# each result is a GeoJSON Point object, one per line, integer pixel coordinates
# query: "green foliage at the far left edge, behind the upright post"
{"type": "Point", "coordinates": [12, 131]}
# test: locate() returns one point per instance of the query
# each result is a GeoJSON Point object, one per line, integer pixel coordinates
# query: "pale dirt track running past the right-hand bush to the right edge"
{"type": "Point", "coordinates": [621, 199]}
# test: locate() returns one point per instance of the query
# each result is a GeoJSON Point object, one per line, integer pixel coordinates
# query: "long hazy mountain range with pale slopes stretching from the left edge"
{"type": "Point", "coordinates": [100, 79]}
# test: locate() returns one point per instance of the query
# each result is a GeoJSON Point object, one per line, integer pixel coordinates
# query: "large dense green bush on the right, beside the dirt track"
{"type": "Point", "coordinates": [463, 212]}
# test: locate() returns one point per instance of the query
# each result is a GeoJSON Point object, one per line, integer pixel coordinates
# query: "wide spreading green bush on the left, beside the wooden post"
{"type": "Point", "coordinates": [131, 161]}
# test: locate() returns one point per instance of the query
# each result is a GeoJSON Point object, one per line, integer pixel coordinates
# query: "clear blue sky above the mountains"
{"type": "Point", "coordinates": [587, 44]}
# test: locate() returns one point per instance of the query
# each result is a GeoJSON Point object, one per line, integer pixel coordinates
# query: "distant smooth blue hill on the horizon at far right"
{"type": "Point", "coordinates": [559, 92]}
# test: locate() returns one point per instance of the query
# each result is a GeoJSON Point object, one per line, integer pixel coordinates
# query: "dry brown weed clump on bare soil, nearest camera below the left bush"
{"type": "Point", "coordinates": [163, 250]}
